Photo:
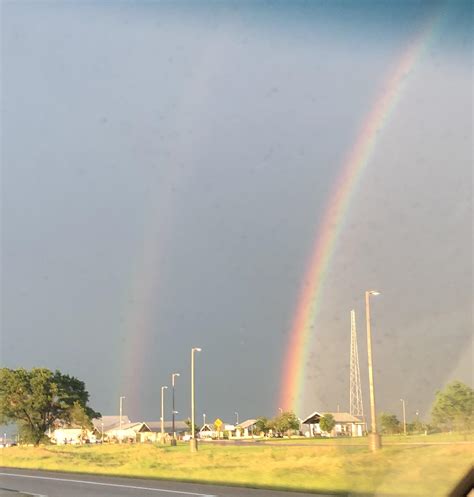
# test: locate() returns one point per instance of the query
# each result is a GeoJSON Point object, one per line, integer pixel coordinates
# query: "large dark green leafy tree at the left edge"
{"type": "Point", "coordinates": [38, 399]}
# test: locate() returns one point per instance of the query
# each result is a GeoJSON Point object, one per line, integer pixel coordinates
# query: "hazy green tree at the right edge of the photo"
{"type": "Point", "coordinates": [453, 408]}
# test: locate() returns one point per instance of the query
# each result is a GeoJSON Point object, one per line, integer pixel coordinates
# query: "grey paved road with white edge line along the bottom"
{"type": "Point", "coordinates": [52, 484]}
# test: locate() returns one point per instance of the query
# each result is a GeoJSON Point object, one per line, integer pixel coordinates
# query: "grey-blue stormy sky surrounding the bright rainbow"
{"type": "Point", "coordinates": [165, 167]}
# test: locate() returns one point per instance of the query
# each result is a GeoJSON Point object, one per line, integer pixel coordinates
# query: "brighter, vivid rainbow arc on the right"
{"type": "Point", "coordinates": [333, 221]}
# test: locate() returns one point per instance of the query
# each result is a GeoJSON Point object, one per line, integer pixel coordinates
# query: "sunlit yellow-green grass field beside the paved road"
{"type": "Point", "coordinates": [395, 470]}
